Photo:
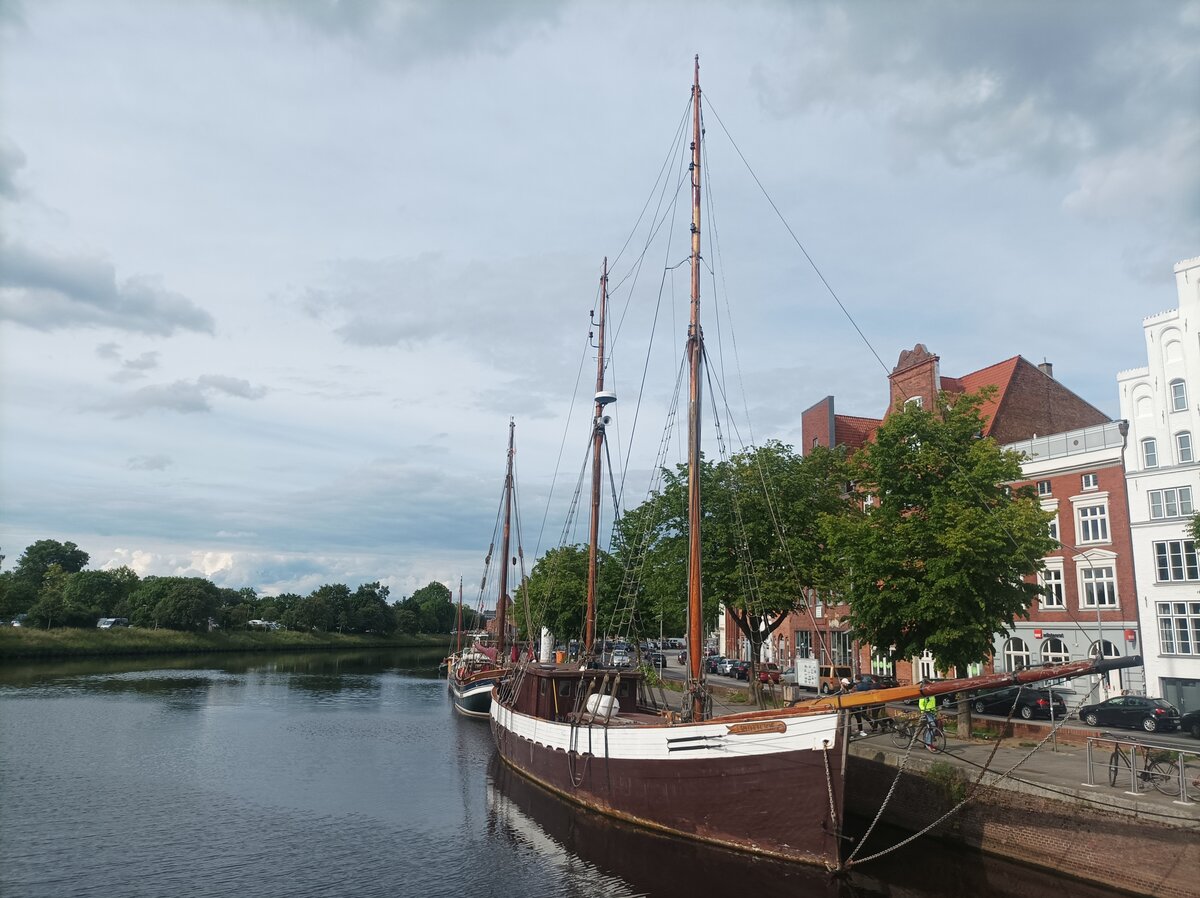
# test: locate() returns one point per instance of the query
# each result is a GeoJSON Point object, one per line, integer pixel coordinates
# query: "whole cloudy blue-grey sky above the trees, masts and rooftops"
{"type": "Point", "coordinates": [277, 276]}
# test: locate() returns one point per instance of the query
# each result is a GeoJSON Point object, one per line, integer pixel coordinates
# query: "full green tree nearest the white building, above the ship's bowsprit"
{"type": "Point", "coordinates": [938, 555]}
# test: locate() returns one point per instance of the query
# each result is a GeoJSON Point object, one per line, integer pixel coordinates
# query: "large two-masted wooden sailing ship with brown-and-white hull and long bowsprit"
{"type": "Point", "coordinates": [767, 782]}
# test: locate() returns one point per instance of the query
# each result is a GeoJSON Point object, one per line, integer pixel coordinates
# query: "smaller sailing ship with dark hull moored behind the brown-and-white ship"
{"type": "Point", "coordinates": [476, 670]}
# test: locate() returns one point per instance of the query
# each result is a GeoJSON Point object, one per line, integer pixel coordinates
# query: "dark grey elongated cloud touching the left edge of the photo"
{"type": "Point", "coordinates": [55, 294]}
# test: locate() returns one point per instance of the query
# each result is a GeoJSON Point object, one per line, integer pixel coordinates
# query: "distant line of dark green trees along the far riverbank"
{"type": "Point", "coordinates": [50, 586]}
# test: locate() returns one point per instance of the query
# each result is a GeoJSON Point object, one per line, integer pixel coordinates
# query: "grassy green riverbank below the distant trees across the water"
{"type": "Point", "coordinates": [29, 643]}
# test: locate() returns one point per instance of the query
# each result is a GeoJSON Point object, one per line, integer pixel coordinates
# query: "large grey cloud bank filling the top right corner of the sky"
{"type": "Point", "coordinates": [1058, 87]}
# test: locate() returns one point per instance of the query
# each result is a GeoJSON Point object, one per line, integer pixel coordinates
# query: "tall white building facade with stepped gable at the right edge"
{"type": "Point", "coordinates": [1162, 404]}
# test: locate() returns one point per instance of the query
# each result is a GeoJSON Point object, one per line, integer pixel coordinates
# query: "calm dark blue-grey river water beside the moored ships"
{"type": "Point", "coordinates": [343, 775]}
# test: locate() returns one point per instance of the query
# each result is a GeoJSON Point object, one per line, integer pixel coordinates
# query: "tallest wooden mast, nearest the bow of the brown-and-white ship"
{"type": "Point", "coordinates": [695, 351]}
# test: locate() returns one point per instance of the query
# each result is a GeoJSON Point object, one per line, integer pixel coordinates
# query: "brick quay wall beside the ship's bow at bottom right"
{"type": "Point", "coordinates": [1138, 849]}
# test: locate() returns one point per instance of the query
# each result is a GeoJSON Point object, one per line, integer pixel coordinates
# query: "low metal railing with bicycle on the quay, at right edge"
{"type": "Point", "coordinates": [1143, 767]}
